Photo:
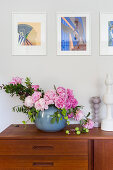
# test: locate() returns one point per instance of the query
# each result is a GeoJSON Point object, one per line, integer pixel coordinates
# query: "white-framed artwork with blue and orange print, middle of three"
{"type": "Point", "coordinates": [73, 34]}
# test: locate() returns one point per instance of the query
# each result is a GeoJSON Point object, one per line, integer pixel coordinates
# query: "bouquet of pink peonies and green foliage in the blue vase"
{"type": "Point", "coordinates": [36, 100]}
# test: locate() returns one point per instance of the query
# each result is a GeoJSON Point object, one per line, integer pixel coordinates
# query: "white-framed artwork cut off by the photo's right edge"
{"type": "Point", "coordinates": [106, 33]}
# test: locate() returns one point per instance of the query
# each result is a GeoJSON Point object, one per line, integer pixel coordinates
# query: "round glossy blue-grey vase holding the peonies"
{"type": "Point", "coordinates": [43, 122]}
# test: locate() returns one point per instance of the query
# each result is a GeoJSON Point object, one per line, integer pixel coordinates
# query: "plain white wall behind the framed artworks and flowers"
{"type": "Point", "coordinates": [84, 74]}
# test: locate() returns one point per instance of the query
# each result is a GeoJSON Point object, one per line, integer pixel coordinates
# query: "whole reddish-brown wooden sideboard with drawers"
{"type": "Point", "coordinates": [29, 149]}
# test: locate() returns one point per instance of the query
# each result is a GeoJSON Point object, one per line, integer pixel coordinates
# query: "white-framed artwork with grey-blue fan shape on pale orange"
{"type": "Point", "coordinates": [29, 33]}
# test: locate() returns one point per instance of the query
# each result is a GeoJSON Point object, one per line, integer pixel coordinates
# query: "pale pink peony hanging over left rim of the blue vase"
{"type": "Point", "coordinates": [41, 105]}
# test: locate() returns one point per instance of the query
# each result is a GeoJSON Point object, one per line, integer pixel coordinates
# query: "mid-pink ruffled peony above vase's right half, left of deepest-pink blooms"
{"type": "Point", "coordinates": [60, 102]}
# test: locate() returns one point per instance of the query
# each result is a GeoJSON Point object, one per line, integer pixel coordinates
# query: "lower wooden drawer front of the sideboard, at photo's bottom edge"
{"type": "Point", "coordinates": [44, 163]}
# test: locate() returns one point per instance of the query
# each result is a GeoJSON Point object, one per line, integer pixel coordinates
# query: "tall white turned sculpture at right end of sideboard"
{"type": "Point", "coordinates": [107, 123]}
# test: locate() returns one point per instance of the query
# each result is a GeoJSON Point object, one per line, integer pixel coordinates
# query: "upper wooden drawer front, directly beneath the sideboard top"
{"type": "Point", "coordinates": [45, 147]}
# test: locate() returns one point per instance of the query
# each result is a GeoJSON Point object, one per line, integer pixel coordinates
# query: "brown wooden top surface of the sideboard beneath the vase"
{"type": "Point", "coordinates": [31, 132]}
